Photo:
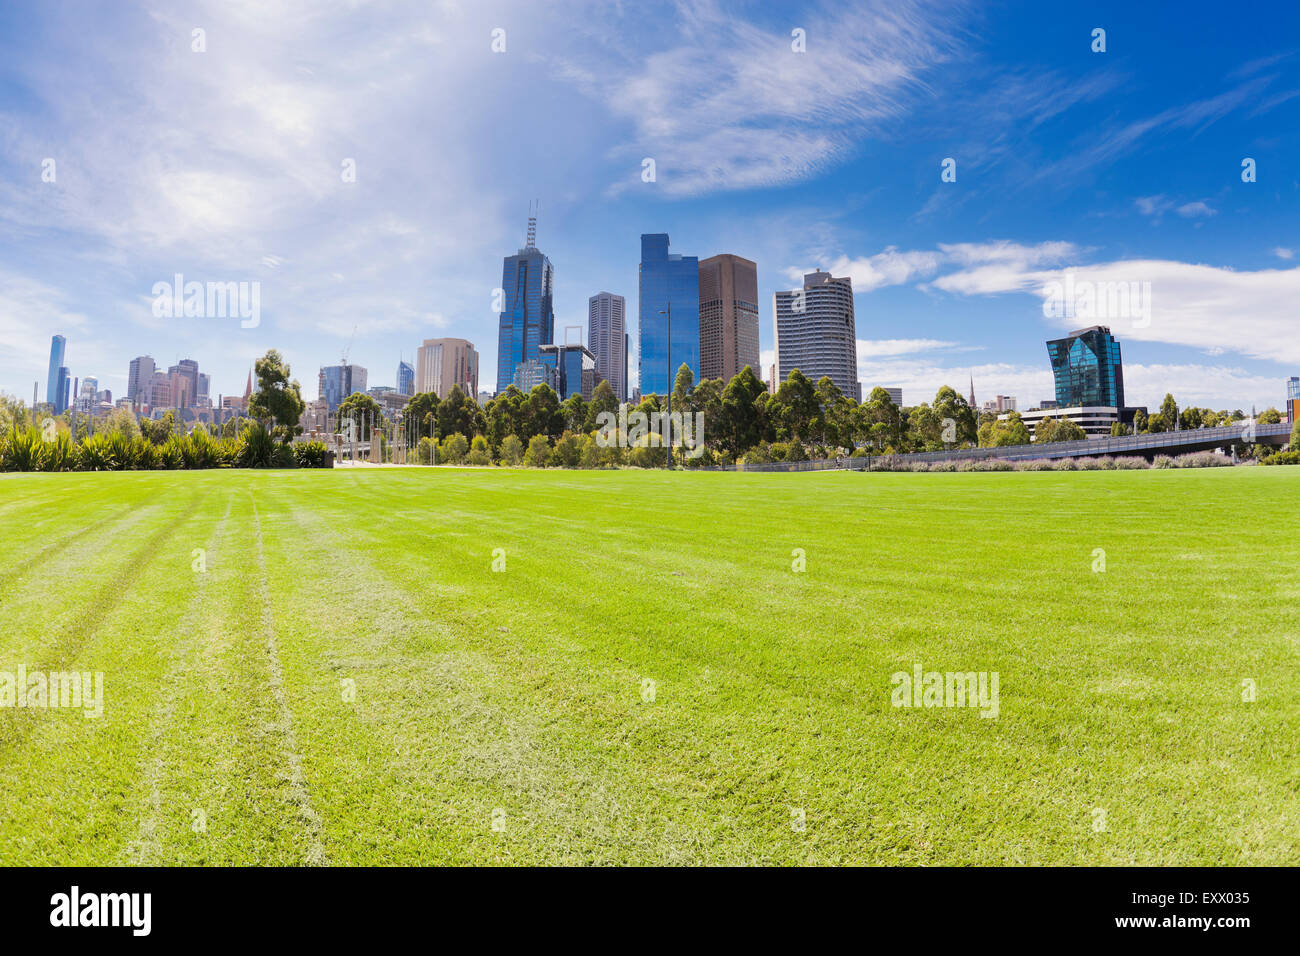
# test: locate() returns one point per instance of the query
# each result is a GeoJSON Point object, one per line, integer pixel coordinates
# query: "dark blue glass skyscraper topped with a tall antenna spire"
{"type": "Point", "coordinates": [528, 309]}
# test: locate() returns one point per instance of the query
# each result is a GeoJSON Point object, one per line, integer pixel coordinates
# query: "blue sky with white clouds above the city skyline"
{"type": "Point", "coordinates": [226, 166]}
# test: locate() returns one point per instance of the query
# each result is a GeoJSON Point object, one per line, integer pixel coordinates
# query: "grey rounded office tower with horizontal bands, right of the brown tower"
{"type": "Point", "coordinates": [816, 332]}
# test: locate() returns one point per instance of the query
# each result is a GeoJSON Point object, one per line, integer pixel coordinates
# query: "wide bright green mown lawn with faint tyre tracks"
{"type": "Point", "coordinates": [502, 717]}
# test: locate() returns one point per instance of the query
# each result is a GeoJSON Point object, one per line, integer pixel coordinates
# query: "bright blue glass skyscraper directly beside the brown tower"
{"type": "Point", "coordinates": [668, 284]}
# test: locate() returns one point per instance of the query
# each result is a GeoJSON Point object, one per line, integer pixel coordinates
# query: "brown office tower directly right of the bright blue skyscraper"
{"type": "Point", "coordinates": [729, 317]}
